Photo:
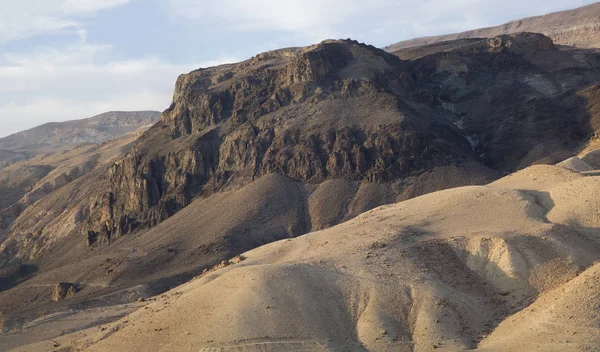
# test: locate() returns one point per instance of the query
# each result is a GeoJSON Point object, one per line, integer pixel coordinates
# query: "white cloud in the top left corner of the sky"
{"type": "Point", "coordinates": [25, 18]}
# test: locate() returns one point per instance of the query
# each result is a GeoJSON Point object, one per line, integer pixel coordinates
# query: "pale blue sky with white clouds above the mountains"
{"type": "Point", "coordinates": [71, 59]}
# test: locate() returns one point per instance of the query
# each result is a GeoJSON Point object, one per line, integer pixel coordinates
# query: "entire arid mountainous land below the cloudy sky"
{"type": "Point", "coordinates": [335, 197]}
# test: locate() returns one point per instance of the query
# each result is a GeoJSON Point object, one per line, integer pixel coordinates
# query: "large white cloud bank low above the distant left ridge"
{"type": "Point", "coordinates": [49, 84]}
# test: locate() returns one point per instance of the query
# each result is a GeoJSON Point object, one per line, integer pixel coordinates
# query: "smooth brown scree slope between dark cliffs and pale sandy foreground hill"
{"type": "Point", "coordinates": [203, 234]}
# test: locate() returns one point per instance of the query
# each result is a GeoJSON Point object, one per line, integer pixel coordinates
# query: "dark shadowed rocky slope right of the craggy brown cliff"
{"type": "Point", "coordinates": [517, 98]}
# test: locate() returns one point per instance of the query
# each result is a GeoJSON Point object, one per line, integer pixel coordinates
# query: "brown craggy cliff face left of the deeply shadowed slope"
{"type": "Point", "coordinates": [334, 110]}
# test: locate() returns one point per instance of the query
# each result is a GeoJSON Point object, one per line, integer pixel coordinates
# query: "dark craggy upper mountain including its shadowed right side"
{"type": "Point", "coordinates": [341, 109]}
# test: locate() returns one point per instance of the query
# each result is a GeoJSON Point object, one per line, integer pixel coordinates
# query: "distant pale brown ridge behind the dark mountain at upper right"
{"type": "Point", "coordinates": [578, 28]}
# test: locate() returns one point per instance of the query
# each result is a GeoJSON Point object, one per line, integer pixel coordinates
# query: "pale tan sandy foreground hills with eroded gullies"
{"type": "Point", "coordinates": [496, 268]}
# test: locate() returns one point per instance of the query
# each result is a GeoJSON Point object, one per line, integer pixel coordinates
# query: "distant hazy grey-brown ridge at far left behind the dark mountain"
{"type": "Point", "coordinates": [62, 136]}
